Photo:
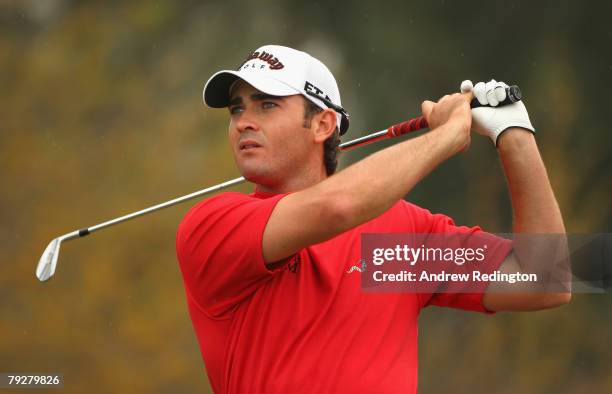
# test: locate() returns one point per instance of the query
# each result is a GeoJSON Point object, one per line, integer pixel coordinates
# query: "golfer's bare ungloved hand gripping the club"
{"type": "Point", "coordinates": [452, 116]}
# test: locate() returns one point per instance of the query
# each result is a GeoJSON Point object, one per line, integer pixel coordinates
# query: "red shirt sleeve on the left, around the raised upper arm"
{"type": "Point", "coordinates": [219, 249]}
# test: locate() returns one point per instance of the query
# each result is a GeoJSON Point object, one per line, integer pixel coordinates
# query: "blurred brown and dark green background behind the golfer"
{"type": "Point", "coordinates": [101, 115]}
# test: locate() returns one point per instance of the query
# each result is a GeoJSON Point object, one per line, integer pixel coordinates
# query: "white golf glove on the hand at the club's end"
{"type": "Point", "coordinates": [491, 121]}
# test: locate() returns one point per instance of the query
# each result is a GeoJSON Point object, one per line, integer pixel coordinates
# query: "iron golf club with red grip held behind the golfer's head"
{"type": "Point", "coordinates": [48, 261]}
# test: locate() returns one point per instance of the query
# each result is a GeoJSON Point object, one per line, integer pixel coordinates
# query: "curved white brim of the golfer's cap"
{"type": "Point", "coordinates": [216, 92]}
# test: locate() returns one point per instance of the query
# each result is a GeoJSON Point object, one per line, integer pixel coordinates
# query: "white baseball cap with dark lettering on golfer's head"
{"type": "Point", "coordinates": [280, 71]}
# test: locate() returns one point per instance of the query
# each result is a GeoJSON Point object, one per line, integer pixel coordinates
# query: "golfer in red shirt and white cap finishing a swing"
{"type": "Point", "coordinates": [272, 302]}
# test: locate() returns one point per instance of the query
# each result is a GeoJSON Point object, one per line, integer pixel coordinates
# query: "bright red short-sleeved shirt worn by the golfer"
{"type": "Point", "coordinates": [306, 326]}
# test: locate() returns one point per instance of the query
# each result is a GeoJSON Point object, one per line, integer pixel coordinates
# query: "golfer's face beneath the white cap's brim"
{"type": "Point", "coordinates": [267, 135]}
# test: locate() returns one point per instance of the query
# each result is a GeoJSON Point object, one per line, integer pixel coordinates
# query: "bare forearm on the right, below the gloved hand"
{"type": "Point", "coordinates": [539, 241]}
